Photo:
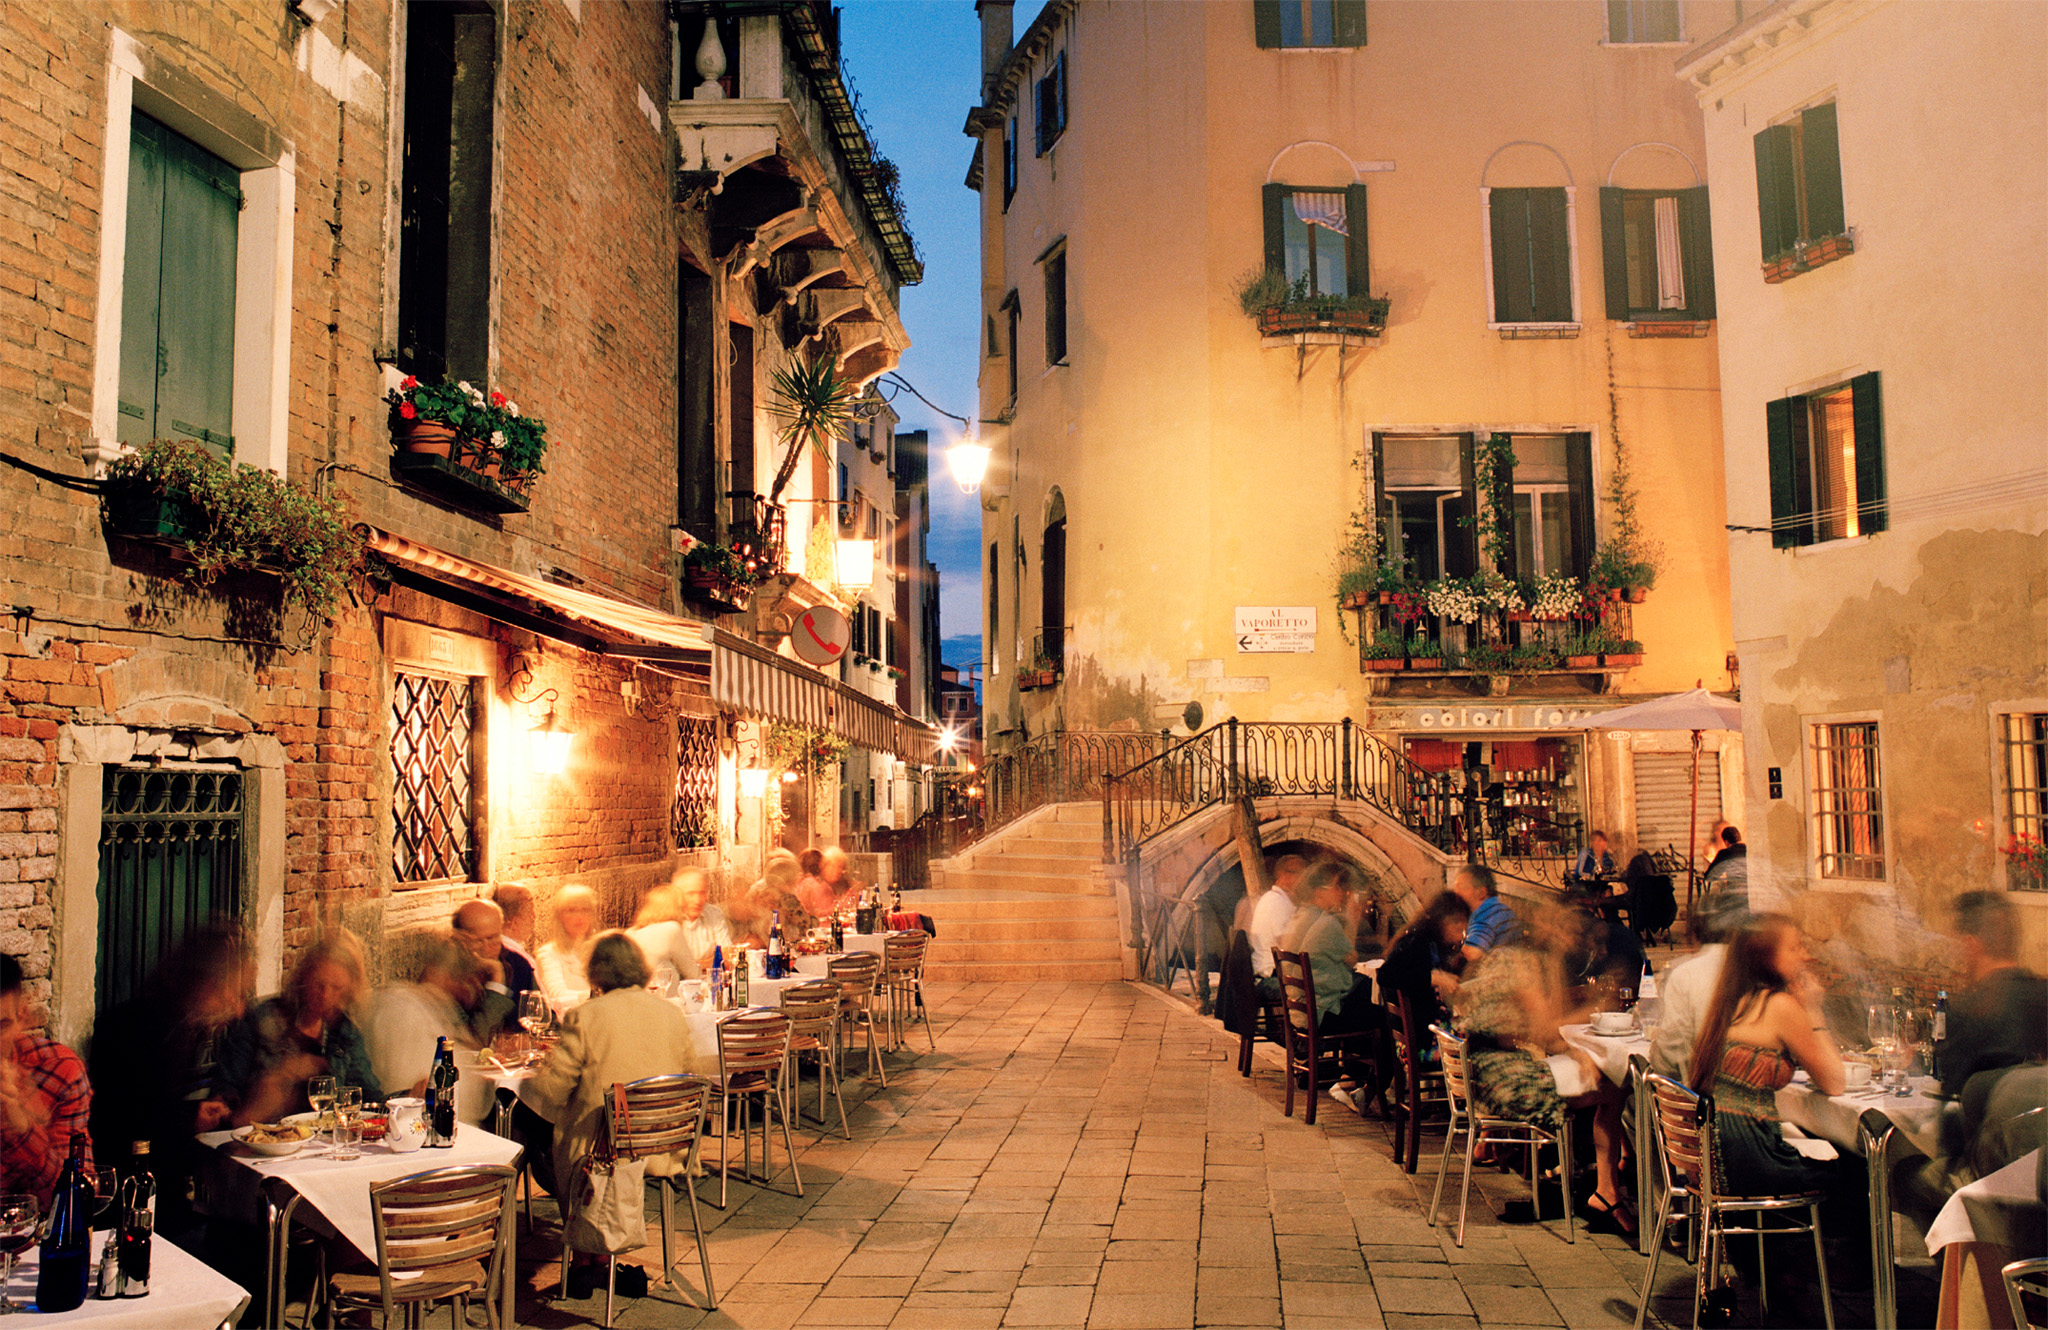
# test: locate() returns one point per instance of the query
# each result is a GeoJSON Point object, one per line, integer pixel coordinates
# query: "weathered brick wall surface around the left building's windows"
{"type": "Point", "coordinates": [587, 339]}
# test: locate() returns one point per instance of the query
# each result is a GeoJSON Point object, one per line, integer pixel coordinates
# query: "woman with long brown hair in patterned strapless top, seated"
{"type": "Point", "coordinates": [1762, 1026]}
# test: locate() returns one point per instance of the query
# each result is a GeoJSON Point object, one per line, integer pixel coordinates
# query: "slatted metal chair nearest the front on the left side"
{"type": "Point", "coordinates": [441, 1237]}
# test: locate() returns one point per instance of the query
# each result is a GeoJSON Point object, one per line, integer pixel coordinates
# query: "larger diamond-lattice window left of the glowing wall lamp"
{"type": "Point", "coordinates": [433, 798]}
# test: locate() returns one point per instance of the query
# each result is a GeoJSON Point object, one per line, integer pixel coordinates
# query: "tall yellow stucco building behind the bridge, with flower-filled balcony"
{"type": "Point", "coordinates": [1181, 446]}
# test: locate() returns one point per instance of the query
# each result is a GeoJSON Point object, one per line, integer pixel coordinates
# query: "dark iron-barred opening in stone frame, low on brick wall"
{"type": "Point", "coordinates": [171, 860]}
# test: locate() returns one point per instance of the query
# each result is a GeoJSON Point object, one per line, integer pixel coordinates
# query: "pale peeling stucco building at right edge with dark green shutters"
{"type": "Point", "coordinates": [1881, 237]}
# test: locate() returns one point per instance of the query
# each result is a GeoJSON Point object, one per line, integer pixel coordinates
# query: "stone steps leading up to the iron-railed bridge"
{"type": "Point", "coordinates": [1029, 903]}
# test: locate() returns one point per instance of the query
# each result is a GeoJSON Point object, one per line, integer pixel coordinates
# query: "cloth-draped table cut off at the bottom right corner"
{"type": "Point", "coordinates": [1983, 1227]}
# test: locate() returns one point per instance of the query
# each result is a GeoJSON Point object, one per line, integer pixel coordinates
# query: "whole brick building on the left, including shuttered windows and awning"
{"type": "Point", "coordinates": [136, 704]}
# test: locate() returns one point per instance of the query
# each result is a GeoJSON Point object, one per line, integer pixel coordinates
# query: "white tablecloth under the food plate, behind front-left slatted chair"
{"type": "Point", "coordinates": [341, 1190]}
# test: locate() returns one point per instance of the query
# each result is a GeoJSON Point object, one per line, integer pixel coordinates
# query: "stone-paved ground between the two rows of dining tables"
{"type": "Point", "coordinates": [1086, 1155]}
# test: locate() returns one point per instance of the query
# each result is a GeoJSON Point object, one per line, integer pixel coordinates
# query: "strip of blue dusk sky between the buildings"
{"type": "Point", "coordinates": [919, 71]}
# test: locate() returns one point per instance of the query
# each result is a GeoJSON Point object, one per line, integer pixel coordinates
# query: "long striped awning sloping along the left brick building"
{"type": "Point", "coordinates": [744, 677]}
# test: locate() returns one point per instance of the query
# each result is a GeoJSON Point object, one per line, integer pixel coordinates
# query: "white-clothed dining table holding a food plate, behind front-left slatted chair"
{"type": "Point", "coordinates": [239, 1183]}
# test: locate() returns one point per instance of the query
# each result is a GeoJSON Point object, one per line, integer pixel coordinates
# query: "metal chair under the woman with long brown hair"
{"type": "Point", "coordinates": [1693, 1175]}
